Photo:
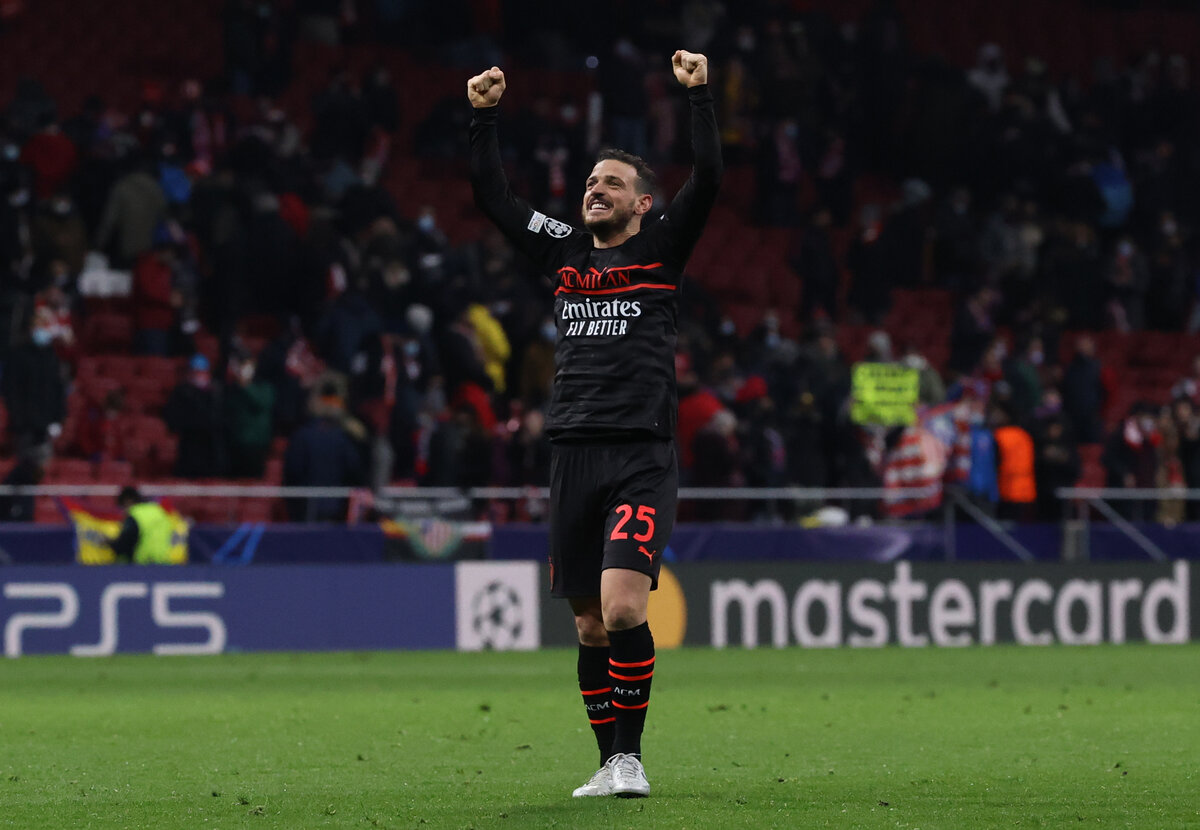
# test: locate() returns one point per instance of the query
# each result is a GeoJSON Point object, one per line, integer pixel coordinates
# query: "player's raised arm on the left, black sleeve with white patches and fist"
{"type": "Point", "coordinates": [514, 216]}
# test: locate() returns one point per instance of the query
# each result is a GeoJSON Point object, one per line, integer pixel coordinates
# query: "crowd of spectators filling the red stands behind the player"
{"type": "Point", "coordinates": [347, 323]}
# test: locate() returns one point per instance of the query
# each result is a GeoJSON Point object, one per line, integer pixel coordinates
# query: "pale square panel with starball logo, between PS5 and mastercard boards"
{"type": "Point", "coordinates": [497, 606]}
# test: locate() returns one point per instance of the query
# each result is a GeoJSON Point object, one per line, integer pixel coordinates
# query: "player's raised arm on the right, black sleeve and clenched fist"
{"type": "Point", "coordinates": [689, 209]}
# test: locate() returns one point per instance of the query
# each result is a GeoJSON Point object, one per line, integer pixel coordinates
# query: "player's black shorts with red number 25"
{"type": "Point", "coordinates": [611, 506]}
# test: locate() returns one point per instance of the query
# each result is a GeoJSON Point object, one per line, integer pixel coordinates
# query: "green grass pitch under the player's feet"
{"type": "Point", "coordinates": [974, 738]}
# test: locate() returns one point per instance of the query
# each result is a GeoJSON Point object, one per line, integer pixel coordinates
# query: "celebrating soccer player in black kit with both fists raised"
{"type": "Point", "coordinates": [613, 414]}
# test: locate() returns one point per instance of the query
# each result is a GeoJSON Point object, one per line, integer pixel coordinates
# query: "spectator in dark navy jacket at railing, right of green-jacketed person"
{"type": "Point", "coordinates": [325, 453]}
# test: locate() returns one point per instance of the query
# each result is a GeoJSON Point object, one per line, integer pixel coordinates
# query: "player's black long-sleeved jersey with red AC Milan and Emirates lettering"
{"type": "Point", "coordinates": [616, 309]}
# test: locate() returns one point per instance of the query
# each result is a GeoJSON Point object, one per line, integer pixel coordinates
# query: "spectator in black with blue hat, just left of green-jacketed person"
{"type": "Point", "coordinates": [195, 414]}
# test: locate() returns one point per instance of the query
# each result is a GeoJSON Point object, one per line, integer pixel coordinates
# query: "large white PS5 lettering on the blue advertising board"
{"type": "Point", "coordinates": [67, 615]}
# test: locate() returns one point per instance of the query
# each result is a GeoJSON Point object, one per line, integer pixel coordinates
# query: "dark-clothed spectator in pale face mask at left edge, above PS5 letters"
{"type": "Point", "coordinates": [34, 389]}
